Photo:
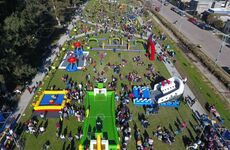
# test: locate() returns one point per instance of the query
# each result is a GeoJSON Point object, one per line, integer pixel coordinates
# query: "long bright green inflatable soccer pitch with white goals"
{"type": "Point", "coordinates": [100, 132]}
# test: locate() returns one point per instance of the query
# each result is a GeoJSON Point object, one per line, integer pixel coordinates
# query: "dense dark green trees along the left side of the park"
{"type": "Point", "coordinates": [23, 24]}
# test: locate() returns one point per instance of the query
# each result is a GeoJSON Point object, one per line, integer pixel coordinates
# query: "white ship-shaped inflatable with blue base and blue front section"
{"type": "Point", "coordinates": [166, 93]}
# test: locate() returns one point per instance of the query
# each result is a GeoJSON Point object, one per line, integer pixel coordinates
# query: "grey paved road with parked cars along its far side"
{"type": "Point", "coordinates": [209, 42]}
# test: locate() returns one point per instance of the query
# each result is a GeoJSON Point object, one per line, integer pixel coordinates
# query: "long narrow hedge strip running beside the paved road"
{"type": "Point", "coordinates": [212, 67]}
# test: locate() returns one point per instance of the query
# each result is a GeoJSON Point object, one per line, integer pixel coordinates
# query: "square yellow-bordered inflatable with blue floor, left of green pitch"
{"type": "Point", "coordinates": [51, 101]}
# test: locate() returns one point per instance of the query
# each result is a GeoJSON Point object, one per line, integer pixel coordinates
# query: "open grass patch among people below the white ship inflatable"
{"type": "Point", "coordinates": [166, 117]}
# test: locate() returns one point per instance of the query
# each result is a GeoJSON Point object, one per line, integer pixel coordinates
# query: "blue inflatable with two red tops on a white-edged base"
{"type": "Point", "coordinates": [74, 60]}
